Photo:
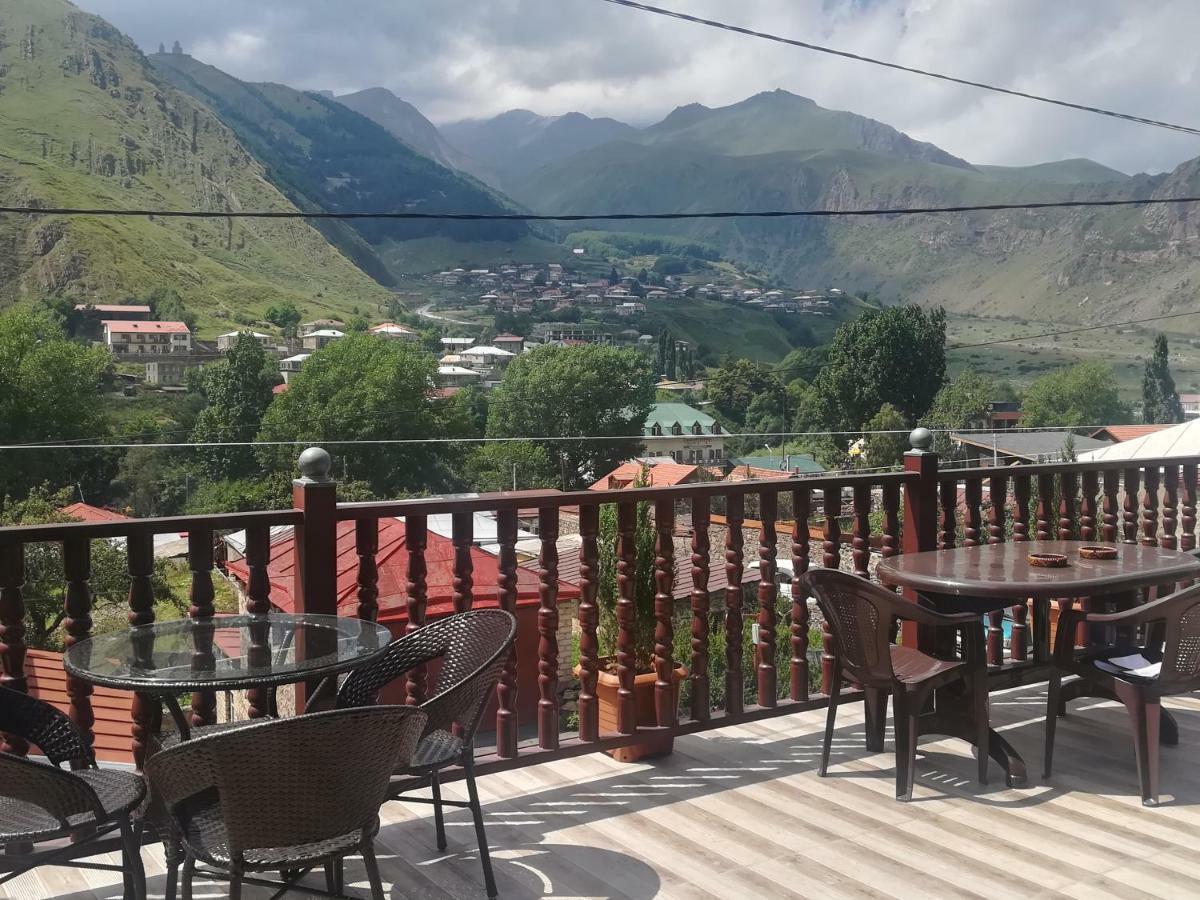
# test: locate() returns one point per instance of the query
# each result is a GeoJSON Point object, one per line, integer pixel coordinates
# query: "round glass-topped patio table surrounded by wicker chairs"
{"type": "Point", "coordinates": [225, 653]}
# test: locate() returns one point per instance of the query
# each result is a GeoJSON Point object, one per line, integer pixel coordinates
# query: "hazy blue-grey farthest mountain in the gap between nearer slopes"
{"type": "Point", "coordinates": [518, 142]}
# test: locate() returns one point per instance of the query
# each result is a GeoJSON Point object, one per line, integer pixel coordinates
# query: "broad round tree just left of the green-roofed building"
{"type": "Point", "coordinates": [602, 394]}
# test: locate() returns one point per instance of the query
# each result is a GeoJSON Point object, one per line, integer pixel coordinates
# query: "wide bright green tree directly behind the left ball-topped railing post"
{"type": "Point", "coordinates": [363, 389]}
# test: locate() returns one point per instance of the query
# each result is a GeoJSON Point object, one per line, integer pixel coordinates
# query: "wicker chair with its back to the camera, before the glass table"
{"type": "Point", "coordinates": [285, 795]}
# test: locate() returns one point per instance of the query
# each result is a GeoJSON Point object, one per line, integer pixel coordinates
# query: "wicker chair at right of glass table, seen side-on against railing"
{"type": "Point", "coordinates": [473, 649]}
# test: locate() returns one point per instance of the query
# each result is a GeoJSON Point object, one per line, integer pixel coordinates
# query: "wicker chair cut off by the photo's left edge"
{"type": "Point", "coordinates": [43, 802]}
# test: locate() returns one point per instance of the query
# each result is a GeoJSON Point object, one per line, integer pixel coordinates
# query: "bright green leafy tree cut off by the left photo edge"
{"type": "Point", "coordinates": [50, 393]}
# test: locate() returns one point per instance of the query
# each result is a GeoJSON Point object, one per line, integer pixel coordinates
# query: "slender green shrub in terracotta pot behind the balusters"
{"type": "Point", "coordinates": [608, 682]}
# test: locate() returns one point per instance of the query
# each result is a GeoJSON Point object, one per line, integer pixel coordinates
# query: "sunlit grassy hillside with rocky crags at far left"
{"type": "Point", "coordinates": [89, 123]}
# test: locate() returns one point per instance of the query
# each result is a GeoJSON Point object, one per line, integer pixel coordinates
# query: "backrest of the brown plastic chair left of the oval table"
{"type": "Point", "coordinates": [860, 616]}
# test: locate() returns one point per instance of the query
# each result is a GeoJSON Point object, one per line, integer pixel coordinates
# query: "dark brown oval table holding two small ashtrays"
{"type": "Point", "coordinates": [997, 577]}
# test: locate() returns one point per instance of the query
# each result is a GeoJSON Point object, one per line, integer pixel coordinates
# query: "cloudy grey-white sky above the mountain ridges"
{"type": "Point", "coordinates": [459, 59]}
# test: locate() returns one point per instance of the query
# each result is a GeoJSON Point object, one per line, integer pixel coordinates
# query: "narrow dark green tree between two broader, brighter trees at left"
{"type": "Point", "coordinates": [238, 392]}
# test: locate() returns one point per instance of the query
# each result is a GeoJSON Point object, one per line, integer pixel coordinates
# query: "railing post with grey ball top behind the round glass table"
{"type": "Point", "coordinates": [315, 587]}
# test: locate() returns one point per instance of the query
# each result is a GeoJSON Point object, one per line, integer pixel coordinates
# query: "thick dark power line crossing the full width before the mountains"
{"type": "Point", "coordinates": [585, 217]}
